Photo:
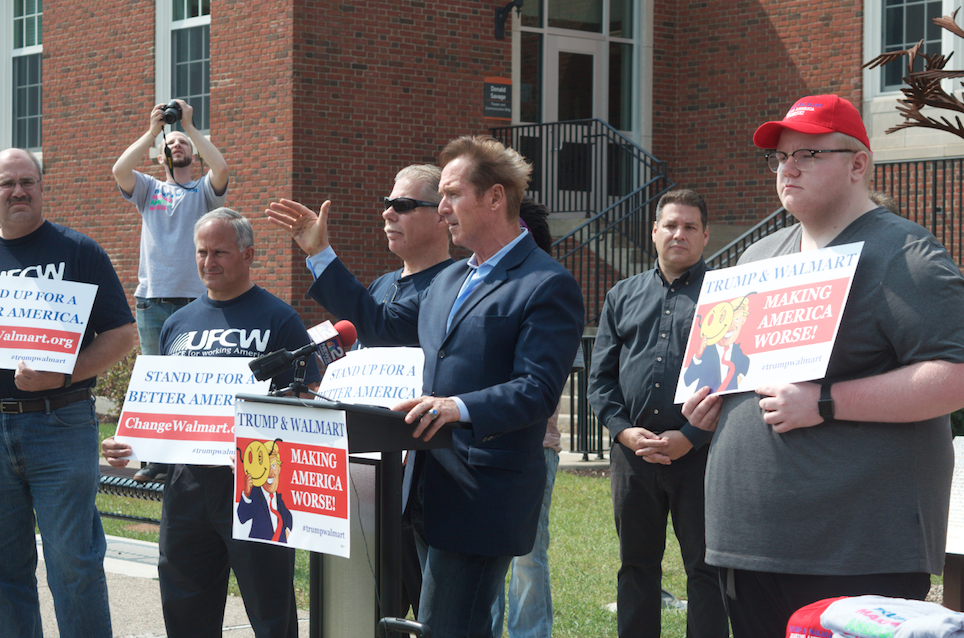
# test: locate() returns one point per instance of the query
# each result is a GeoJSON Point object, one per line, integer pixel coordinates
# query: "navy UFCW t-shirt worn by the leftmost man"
{"type": "Point", "coordinates": [60, 253]}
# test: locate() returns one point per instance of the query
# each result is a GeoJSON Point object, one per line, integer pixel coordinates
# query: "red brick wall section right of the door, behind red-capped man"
{"type": "Point", "coordinates": [722, 68]}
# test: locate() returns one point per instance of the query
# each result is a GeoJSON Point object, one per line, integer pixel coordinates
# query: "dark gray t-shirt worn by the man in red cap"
{"type": "Point", "coordinates": [847, 497]}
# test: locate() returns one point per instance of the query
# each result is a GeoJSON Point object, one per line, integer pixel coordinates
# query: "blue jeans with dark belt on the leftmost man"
{"type": "Point", "coordinates": [48, 465]}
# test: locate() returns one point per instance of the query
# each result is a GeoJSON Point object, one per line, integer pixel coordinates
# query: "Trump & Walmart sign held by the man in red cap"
{"type": "Point", "coordinates": [769, 321]}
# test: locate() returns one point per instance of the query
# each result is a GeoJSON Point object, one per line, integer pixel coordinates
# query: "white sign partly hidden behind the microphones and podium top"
{"type": "Point", "coordinates": [375, 376]}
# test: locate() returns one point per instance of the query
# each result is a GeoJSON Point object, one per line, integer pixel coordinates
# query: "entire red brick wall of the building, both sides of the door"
{"type": "Point", "coordinates": [319, 100]}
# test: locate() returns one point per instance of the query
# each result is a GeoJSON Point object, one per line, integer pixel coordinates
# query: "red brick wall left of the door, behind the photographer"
{"type": "Point", "coordinates": [310, 99]}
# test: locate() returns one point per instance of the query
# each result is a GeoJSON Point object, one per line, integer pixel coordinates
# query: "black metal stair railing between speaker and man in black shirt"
{"type": "Point", "coordinates": [587, 170]}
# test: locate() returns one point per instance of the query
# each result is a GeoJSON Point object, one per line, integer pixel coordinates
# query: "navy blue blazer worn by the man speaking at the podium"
{"type": "Point", "coordinates": [507, 356]}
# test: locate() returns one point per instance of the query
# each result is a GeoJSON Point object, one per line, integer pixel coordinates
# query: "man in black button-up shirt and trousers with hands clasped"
{"type": "Point", "coordinates": [658, 459]}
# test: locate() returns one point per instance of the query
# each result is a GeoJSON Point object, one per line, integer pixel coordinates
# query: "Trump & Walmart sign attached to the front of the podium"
{"type": "Point", "coordinates": [292, 477]}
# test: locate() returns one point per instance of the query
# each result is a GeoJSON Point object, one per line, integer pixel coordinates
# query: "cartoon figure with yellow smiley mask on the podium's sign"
{"type": "Point", "coordinates": [260, 501]}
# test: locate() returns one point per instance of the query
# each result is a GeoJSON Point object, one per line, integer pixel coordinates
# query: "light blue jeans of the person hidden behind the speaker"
{"type": "Point", "coordinates": [530, 599]}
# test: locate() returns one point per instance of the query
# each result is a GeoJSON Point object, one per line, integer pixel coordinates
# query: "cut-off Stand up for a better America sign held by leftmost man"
{"type": "Point", "coordinates": [42, 322]}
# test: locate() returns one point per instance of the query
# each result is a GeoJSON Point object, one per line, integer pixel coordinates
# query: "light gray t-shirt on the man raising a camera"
{"type": "Point", "coordinates": [167, 266]}
